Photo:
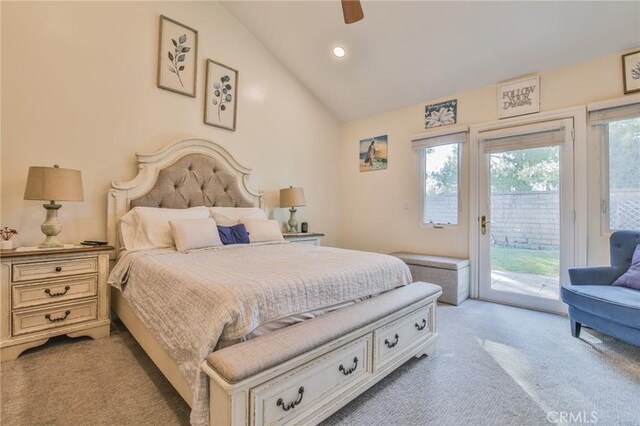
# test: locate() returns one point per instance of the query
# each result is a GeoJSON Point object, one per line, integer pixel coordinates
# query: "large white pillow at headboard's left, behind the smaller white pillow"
{"type": "Point", "coordinates": [150, 226]}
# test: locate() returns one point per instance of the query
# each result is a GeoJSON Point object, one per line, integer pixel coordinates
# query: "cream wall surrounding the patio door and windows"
{"type": "Point", "coordinates": [374, 202]}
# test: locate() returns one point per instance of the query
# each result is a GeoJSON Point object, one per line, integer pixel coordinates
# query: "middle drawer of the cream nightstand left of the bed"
{"type": "Point", "coordinates": [47, 292]}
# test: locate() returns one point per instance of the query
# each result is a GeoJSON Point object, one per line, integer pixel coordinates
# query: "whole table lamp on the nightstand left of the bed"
{"type": "Point", "coordinates": [53, 183]}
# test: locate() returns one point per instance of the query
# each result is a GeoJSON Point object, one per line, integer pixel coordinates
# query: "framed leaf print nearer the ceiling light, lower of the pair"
{"type": "Point", "coordinates": [221, 98]}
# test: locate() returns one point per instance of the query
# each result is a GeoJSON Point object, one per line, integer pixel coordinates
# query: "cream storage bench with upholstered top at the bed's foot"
{"type": "Point", "coordinates": [306, 372]}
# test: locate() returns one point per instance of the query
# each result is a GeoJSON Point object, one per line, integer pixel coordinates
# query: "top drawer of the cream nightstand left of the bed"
{"type": "Point", "coordinates": [55, 269]}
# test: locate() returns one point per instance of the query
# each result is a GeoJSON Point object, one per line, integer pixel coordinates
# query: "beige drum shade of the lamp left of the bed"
{"type": "Point", "coordinates": [54, 184]}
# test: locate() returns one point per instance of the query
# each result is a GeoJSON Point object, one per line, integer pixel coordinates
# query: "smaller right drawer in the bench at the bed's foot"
{"type": "Point", "coordinates": [409, 330]}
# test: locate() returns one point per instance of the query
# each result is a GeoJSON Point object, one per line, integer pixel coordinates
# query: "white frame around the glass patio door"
{"type": "Point", "coordinates": [579, 116]}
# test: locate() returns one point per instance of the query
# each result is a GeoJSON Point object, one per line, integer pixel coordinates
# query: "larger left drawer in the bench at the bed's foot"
{"type": "Point", "coordinates": [285, 397]}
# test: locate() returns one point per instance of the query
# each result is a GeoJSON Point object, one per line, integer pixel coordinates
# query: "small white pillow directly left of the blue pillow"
{"type": "Point", "coordinates": [192, 234]}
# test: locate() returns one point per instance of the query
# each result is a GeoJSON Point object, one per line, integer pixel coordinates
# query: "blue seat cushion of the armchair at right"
{"type": "Point", "coordinates": [617, 304]}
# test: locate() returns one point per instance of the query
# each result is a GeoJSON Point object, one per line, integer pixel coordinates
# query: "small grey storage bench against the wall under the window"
{"type": "Point", "coordinates": [450, 273]}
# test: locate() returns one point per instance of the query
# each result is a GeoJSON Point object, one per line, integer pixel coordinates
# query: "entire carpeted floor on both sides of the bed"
{"type": "Point", "coordinates": [495, 365]}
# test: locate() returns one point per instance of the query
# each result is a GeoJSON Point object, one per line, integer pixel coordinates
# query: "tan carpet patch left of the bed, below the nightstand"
{"type": "Point", "coordinates": [88, 382]}
